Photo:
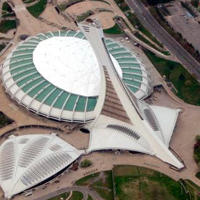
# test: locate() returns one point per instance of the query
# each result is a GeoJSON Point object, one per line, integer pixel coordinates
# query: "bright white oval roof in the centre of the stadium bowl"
{"type": "Point", "coordinates": [68, 62]}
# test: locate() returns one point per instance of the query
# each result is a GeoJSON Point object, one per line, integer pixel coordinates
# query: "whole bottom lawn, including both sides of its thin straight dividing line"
{"type": "Point", "coordinates": [139, 183]}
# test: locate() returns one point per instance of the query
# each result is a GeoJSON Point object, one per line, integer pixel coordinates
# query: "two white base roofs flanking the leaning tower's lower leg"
{"type": "Point", "coordinates": [124, 136]}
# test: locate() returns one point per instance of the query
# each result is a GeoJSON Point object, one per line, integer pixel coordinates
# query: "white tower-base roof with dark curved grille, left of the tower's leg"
{"type": "Point", "coordinates": [119, 136]}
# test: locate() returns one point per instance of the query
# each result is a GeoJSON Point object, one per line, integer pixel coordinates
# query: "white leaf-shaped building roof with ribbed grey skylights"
{"type": "Point", "coordinates": [26, 161]}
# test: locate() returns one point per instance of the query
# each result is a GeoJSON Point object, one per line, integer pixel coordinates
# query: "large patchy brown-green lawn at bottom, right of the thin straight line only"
{"type": "Point", "coordinates": [132, 182]}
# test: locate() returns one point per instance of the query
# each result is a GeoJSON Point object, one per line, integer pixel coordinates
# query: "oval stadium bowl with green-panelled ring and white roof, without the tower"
{"type": "Point", "coordinates": [56, 75]}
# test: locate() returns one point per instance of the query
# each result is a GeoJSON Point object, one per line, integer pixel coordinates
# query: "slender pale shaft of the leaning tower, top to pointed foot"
{"type": "Point", "coordinates": [94, 33]}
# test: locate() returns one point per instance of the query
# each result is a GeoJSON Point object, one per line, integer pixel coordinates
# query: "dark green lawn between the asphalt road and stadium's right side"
{"type": "Point", "coordinates": [187, 86]}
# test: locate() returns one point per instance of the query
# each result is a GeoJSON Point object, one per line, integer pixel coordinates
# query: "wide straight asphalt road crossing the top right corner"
{"type": "Point", "coordinates": [143, 14]}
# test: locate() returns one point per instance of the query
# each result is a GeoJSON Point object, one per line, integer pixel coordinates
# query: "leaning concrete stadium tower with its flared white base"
{"type": "Point", "coordinates": [124, 121]}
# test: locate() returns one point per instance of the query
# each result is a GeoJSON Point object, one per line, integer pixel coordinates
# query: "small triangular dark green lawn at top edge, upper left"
{"type": "Point", "coordinates": [37, 8]}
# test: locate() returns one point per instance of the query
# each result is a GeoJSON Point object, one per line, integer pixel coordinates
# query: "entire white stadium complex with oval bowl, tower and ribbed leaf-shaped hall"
{"type": "Point", "coordinates": [96, 81]}
